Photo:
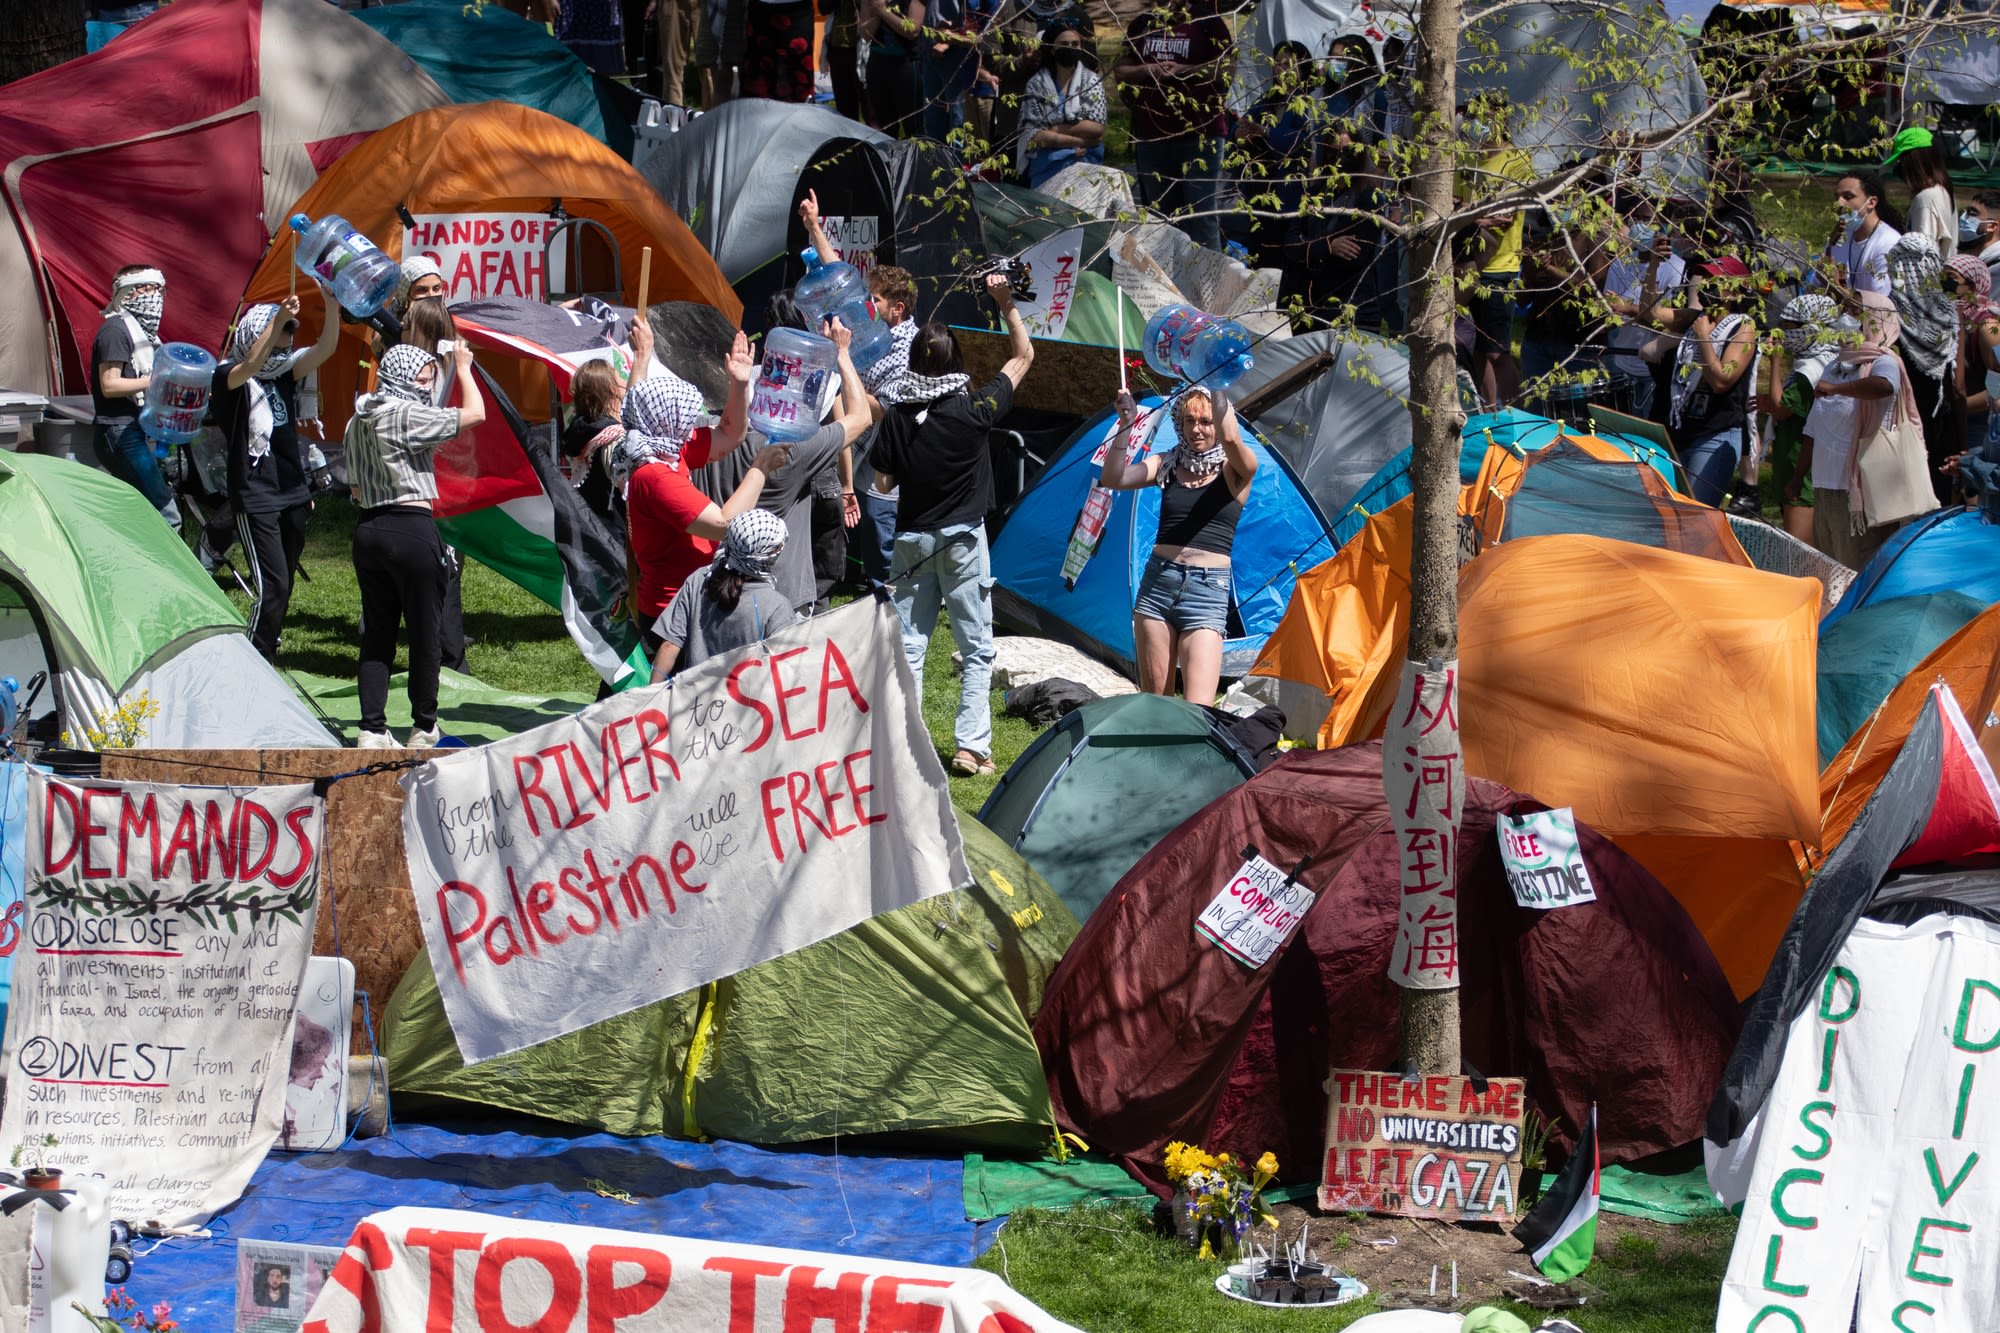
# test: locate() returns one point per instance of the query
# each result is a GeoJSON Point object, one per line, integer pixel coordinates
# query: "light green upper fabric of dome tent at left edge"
{"type": "Point", "coordinates": [75, 537]}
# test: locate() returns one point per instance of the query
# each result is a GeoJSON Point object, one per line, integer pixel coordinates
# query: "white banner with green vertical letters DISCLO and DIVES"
{"type": "Point", "coordinates": [1875, 1172]}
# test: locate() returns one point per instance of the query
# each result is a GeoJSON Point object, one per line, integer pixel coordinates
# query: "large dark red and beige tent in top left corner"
{"type": "Point", "coordinates": [183, 145]}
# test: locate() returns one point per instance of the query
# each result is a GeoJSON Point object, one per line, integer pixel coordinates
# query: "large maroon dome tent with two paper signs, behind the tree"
{"type": "Point", "coordinates": [1149, 1034]}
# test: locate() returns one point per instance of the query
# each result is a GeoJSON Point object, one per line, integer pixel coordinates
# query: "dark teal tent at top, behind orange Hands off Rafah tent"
{"type": "Point", "coordinates": [481, 53]}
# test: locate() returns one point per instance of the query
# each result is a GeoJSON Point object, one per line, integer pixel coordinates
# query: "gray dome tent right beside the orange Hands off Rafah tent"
{"type": "Point", "coordinates": [731, 175]}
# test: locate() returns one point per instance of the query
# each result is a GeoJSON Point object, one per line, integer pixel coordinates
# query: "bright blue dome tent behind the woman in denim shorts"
{"type": "Point", "coordinates": [1281, 533]}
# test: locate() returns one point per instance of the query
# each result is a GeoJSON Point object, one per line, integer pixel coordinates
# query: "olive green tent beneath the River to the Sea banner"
{"type": "Point", "coordinates": [911, 1024]}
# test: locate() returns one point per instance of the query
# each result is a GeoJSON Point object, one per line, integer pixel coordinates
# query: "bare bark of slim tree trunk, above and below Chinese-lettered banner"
{"type": "Point", "coordinates": [1431, 1018]}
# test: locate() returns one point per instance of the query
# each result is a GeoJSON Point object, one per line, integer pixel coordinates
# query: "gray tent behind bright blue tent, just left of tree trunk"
{"type": "Point", "coordinates": [1345, 421]}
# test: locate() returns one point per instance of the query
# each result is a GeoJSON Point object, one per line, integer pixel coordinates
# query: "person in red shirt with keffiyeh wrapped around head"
{"type": "Point", "coordinates": [671, 525]}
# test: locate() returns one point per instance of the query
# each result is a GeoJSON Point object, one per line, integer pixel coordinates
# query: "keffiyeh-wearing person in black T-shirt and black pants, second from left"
{"type": "Point", "coordinates": [255, 401]}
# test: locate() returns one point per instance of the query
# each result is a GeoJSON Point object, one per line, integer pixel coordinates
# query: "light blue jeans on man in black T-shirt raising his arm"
{"type": "Point", "coordinates": [951, 569]}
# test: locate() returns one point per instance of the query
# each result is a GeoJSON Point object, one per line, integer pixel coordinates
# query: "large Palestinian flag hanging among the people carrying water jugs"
{"type": "Point", "coordinates": [505, 503]}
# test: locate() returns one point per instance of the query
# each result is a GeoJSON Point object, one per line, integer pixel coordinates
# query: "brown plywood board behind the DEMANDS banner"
{"type": "Point", "coordinates": [367, 878]}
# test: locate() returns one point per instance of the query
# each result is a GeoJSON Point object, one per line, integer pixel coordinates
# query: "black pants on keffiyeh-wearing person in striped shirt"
{"type": "Point", "coordinates": [399, 559]}
